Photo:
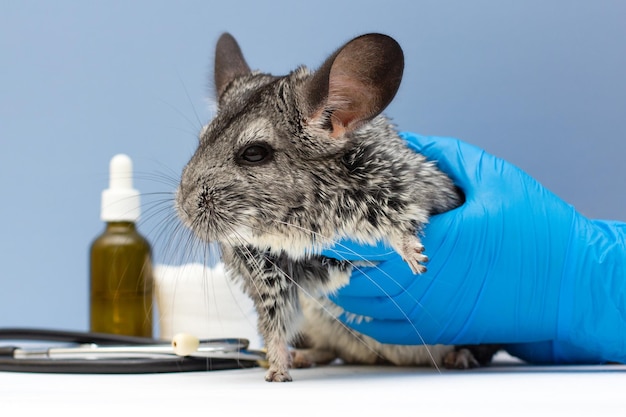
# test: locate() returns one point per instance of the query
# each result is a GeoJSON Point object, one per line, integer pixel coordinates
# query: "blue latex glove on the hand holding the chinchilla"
{"type": "Point", "coordinates": [513, 265]}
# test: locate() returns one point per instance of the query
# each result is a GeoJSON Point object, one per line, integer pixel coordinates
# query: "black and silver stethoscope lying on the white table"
{"type": "Point", "coordinates": [98, 353]}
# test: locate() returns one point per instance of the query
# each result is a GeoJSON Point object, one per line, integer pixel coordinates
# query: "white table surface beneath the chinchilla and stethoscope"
{"type": "Point", "coordinates": [504, 389]}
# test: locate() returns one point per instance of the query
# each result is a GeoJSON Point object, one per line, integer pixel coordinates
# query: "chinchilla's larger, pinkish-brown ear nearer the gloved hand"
{"type": "Point", "coordinates": [355, 84]}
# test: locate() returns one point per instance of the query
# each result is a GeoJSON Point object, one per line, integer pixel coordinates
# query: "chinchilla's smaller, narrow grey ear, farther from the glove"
{"type": "Point", "coordinates": [229, 63]}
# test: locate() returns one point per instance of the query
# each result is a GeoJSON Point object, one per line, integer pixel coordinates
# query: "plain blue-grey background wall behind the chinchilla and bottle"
{"type": "Point", "coordinates": [539, 83]}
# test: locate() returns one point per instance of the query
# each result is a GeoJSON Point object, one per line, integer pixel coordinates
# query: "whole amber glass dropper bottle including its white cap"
{"type": "Point", "coordinates": [120, 261]}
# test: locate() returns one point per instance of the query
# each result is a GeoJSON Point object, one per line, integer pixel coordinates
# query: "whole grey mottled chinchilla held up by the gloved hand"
{"type": "Point", "coordinates": [334, 168]}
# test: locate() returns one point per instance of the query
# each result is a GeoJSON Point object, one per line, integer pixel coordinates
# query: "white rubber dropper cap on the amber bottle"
{"type": "Point", "coordinates": [120, 202]}
